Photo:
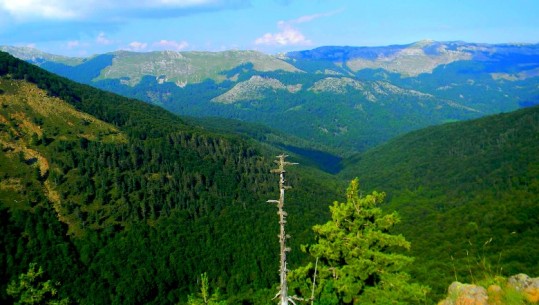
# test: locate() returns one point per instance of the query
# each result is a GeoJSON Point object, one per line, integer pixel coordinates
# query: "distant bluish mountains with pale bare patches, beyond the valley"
{"type": "Point", "coordinates": [347, 98]}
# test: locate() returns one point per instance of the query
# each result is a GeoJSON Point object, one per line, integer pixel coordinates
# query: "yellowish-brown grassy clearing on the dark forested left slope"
{"type": "Point", "coordinates": [30, 120]}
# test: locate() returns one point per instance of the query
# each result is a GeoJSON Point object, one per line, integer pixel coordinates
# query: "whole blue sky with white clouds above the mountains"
{"type": "Point", "coordinates": [86, 27]}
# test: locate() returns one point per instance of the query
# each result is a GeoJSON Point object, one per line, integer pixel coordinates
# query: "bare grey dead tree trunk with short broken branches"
{"type": "Point", "coordinates": [283, 290]}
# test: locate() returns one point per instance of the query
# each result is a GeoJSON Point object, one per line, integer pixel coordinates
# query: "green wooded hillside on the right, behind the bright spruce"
{"type": "Point", "coordinates": [467, 193]}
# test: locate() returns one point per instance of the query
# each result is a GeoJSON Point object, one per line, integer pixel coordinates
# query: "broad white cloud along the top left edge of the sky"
{"type": "Point", "coordinates": [109, 10]}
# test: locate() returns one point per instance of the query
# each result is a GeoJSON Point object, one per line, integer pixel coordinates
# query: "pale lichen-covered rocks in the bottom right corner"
{"type": "Point", "coordinates": [519, 286]}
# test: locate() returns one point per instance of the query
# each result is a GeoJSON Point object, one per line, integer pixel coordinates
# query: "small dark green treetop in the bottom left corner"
{"type": "Point", "coordinates": [30, 289]}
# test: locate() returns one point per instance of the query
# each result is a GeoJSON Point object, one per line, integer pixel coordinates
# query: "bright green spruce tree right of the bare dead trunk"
{"type": "Point", "coordinates": [358, 262]}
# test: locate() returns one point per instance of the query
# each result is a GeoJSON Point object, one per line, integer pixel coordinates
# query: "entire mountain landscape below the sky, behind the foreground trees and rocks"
{"type": "Point", "coordinates": [123, 202]}
